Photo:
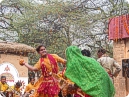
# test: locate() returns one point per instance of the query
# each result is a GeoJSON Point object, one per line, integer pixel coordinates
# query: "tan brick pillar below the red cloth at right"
{"type": "Point", "coordinates": [119, 53]}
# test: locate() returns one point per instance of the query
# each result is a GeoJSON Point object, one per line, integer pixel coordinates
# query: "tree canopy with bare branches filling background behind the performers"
{"type": "Point", "coordinates": [58, 24]}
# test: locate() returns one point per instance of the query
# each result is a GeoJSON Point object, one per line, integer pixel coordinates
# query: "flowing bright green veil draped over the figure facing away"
{"type": "Point", "coordinates": [88, 74]}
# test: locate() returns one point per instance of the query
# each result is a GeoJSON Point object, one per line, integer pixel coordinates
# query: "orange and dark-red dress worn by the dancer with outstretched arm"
{"type": "Point", "coordinates": [47, 85]}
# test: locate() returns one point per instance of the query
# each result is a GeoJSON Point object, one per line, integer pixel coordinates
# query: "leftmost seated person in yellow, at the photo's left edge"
{"type": "Point", "coordinates": [3, 86]}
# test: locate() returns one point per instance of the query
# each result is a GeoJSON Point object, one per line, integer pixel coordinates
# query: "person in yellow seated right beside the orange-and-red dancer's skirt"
{"type": "Point", "coordinates": [30, 87]}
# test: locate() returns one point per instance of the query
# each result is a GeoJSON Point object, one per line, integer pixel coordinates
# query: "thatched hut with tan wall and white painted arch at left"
{"type": "Point", "coordinates": [10, 53]}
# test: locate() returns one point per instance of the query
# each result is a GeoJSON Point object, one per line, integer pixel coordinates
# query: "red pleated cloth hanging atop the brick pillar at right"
{"type": "Point", "coordinates": [117, 29]}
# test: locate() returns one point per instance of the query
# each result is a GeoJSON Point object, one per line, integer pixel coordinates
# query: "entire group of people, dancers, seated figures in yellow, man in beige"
{"type": "Point", "coordinates": [82, 76]}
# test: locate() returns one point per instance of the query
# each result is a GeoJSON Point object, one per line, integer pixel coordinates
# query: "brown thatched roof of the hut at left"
{"type": "Point", "coordinates": [11, 47]}
